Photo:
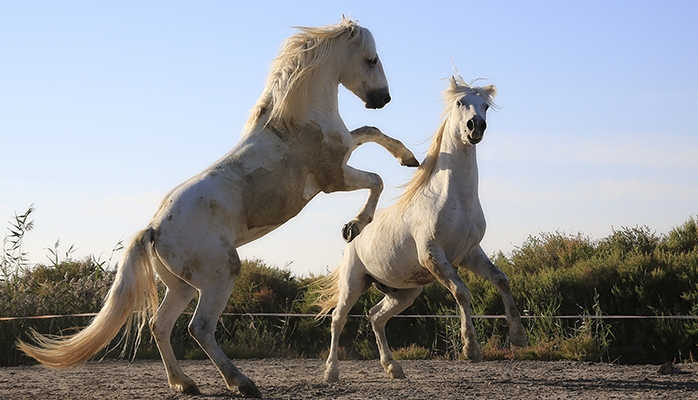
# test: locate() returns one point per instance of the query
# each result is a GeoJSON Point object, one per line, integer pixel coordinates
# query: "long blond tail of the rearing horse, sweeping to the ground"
{"type": "Point", "coordinates": [131, 301]}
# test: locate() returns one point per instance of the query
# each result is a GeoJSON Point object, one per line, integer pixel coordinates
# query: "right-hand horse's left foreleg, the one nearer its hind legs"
{"type": "Point", "coordinates": [436, 262]}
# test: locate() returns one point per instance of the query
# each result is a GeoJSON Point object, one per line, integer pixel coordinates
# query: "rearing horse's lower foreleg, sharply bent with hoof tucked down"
{"type": "Point", "coordinates": [355, 179]}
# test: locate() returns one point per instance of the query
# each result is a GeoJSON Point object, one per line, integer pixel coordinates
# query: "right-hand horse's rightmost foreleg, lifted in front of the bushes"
{"type": "Point", "coordinates": [480, 264]}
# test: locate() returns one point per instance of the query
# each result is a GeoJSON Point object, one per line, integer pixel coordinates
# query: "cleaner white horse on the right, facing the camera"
{"type": "Point", "coordinates": [436, 225]}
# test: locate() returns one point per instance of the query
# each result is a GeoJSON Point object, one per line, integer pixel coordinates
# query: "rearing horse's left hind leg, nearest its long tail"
{"type": "Point", "coordinates": [177, 297]}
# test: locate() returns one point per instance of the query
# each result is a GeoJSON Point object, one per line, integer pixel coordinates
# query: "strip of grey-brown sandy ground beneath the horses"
{"type": "Point", "coordinates": [302, 379]}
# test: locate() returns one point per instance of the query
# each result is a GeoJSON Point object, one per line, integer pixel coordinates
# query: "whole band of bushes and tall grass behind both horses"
{"type": "Point", "coordinates": [633, 271]}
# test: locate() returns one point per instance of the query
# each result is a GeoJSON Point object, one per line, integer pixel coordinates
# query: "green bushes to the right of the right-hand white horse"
{"type": "Point", "coordinates": [634, 271]}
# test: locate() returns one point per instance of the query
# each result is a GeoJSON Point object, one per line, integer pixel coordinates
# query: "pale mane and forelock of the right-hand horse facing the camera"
{"type": "Point", "coordinates": [455, 90]}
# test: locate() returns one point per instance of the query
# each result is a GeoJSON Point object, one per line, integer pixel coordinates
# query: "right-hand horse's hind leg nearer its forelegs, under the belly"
{"type": "Point", "coordinates": [392, 304]}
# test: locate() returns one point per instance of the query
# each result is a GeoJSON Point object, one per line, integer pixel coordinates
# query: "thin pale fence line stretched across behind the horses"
{"type": "Point", "coordinates": [283, 315]}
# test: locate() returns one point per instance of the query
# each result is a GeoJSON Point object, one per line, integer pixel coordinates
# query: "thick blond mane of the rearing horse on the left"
{"type": "Point", "coordinates": [285, 96]}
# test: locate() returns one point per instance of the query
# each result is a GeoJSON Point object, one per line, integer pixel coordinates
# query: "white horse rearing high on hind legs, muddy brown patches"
{"type": "Point", "coordinates": [294, 146]}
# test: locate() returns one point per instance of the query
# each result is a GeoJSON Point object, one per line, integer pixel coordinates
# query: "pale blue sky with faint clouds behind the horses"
{"type": "Point", "coordinates": [105, 106]}
